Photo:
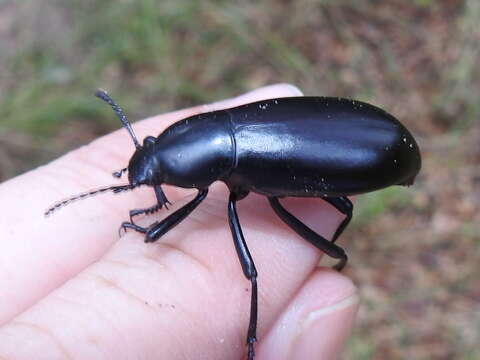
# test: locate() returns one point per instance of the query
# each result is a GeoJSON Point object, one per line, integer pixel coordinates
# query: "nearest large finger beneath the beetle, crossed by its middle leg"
{"type": "Point", "coordinates": [182, 297]}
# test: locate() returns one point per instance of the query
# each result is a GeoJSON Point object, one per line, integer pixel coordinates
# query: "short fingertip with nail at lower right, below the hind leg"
{"type": "Point", "coordinates": [316, 323]}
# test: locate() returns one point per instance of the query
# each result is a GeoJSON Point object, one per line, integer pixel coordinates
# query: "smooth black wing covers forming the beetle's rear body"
{"type": "Point", "coordinates": [313, 146]}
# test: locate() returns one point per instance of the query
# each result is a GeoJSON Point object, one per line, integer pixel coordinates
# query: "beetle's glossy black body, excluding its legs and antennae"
{"type": "Point", "coordinates": [297, 146]}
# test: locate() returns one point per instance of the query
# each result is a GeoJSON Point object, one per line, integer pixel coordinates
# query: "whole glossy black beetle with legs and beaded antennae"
{"type": "Point", "coordinates": [299, 146]}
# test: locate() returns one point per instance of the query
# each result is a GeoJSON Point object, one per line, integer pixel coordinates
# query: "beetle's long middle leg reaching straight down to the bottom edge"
{"type": "Point", "coordinates": [248, 268]}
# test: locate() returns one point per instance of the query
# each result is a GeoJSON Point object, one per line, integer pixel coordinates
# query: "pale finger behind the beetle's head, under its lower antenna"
{"type": "Point", "coordinates": [39, 254]}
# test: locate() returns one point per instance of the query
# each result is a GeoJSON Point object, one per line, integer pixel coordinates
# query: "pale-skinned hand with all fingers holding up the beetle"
{"type": "Point", "coordinates": [72, 289]}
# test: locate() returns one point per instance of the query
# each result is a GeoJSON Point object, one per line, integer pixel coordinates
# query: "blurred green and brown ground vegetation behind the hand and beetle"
{"type": "Point", "coordinates": [414, 251]}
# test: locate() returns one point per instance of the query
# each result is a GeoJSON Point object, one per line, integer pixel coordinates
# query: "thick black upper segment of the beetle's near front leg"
{"type": "Point", "coordinates": [157, 229]}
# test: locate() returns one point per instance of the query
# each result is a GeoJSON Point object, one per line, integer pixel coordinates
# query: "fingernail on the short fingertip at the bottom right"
{"type": "Point", "coordinates": [323, 332]}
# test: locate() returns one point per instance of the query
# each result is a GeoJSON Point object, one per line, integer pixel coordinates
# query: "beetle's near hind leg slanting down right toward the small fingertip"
{"type": "Point", "coordinates": [308, 234]}
